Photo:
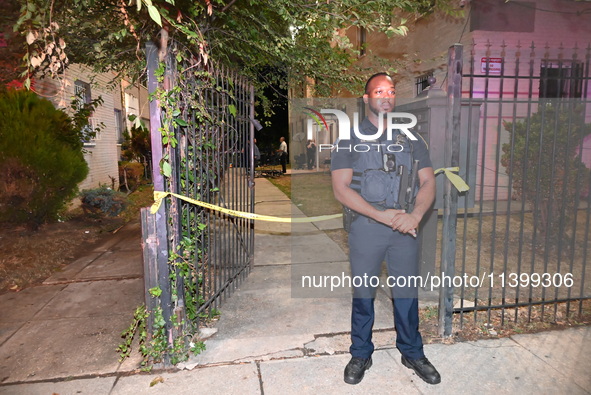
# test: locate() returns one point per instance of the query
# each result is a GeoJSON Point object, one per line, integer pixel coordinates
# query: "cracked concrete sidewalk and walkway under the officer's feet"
{"type": "Point", "coordinates": [60, 337]}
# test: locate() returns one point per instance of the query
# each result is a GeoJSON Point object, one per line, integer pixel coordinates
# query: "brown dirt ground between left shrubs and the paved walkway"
{"type": "Point", "coordinates": [28, 257]}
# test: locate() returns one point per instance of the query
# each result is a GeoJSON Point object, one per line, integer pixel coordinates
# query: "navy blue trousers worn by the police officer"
{"type": "Point", "coordinates": [371, 243]}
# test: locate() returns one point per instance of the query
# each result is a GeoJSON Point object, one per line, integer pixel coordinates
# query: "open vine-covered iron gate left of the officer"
{"type": "Point", "coordinates": [201, 141]}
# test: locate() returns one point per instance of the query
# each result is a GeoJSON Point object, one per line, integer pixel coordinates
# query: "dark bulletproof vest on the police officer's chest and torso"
{"type": "Point", "coordinates": [376, 170]}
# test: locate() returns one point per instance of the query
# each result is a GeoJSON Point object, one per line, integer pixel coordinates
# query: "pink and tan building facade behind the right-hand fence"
{"type": "Point", "coordinates": [517, 52]}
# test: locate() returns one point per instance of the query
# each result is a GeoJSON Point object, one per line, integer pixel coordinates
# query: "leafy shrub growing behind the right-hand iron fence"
{"type": "Point", "coordinates": [547, 146]}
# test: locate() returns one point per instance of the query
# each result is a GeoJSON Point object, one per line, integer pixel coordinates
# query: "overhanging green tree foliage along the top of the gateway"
{"type": "Point", "coordinates": [274, 43]}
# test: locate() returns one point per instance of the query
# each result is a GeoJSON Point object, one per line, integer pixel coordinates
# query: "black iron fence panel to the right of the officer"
{"type": "Point", "coordinates": [522, 247]}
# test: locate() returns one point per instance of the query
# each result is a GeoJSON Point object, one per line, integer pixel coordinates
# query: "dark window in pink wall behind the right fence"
{"type": "Point", "coordinates": [560, 79]}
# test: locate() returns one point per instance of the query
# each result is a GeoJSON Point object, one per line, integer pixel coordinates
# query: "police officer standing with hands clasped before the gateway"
{"type": "Point", "coordinates": [367, 184]}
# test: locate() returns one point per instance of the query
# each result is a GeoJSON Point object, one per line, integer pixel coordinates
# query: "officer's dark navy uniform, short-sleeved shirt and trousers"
{"type": "Point", "coordinates": [370, 242]}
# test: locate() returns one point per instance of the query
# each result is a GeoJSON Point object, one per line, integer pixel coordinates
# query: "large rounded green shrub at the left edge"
{"type": "Point", "coordinates": [41, 158]}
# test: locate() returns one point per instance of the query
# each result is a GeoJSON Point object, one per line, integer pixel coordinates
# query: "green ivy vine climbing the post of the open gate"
{"type": "Point", "coordinates": [187, 257]}
